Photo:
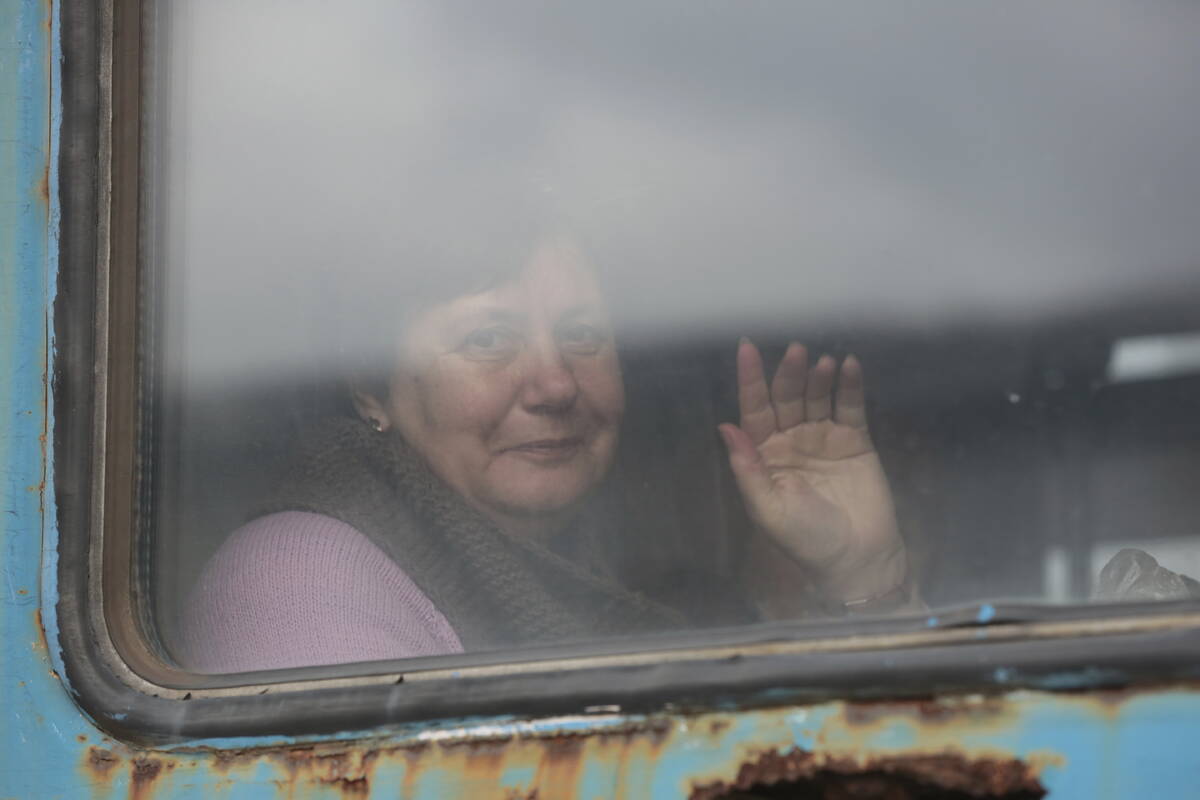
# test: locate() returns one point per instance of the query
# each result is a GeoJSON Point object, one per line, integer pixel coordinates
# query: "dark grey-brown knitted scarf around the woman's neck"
{"type": "Point", "coordinates": [495, 590]}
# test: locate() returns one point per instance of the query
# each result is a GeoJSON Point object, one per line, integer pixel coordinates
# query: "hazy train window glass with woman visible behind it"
{"type": "Point", "coordinates": [451, 300]}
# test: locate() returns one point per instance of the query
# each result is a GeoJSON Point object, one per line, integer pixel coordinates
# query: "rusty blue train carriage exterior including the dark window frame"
{"type": "Point", "coordinates": [977, 701]}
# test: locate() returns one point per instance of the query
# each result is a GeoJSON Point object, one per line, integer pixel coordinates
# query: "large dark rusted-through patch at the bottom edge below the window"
{"type": "Point", "coordinates": [943, 777]}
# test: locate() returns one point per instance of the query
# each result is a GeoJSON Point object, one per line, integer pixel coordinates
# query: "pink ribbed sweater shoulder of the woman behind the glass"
{"type": "Point", "coordinates": [298, 590]}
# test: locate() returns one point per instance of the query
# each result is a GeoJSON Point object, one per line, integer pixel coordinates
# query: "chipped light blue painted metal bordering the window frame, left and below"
{"type": "Point", "coordinates": [1081, 745]}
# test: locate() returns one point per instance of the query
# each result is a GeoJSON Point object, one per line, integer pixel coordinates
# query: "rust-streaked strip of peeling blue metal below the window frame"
{"type": "Point", "coordinates": [1025, 745]}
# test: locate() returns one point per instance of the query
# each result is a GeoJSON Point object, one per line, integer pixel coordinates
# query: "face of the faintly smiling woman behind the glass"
{"type": "Point", "coordinates": [514, 395]}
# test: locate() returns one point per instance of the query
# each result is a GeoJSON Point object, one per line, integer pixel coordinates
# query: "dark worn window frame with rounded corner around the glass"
{"type": "Point", "coordinates": [133, 693]}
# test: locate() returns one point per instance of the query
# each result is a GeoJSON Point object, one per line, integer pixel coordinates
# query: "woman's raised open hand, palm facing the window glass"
{"type": "Point", "coordinates": [809, 474]}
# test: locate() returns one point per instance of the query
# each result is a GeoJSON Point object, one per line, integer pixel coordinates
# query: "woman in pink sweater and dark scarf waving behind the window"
{"type": "Point", "coordinates": [454, 514]}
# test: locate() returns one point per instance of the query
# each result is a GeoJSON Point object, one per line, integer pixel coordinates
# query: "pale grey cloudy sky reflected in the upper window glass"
{"type": "Point", "coordinates": [723, 160]}
